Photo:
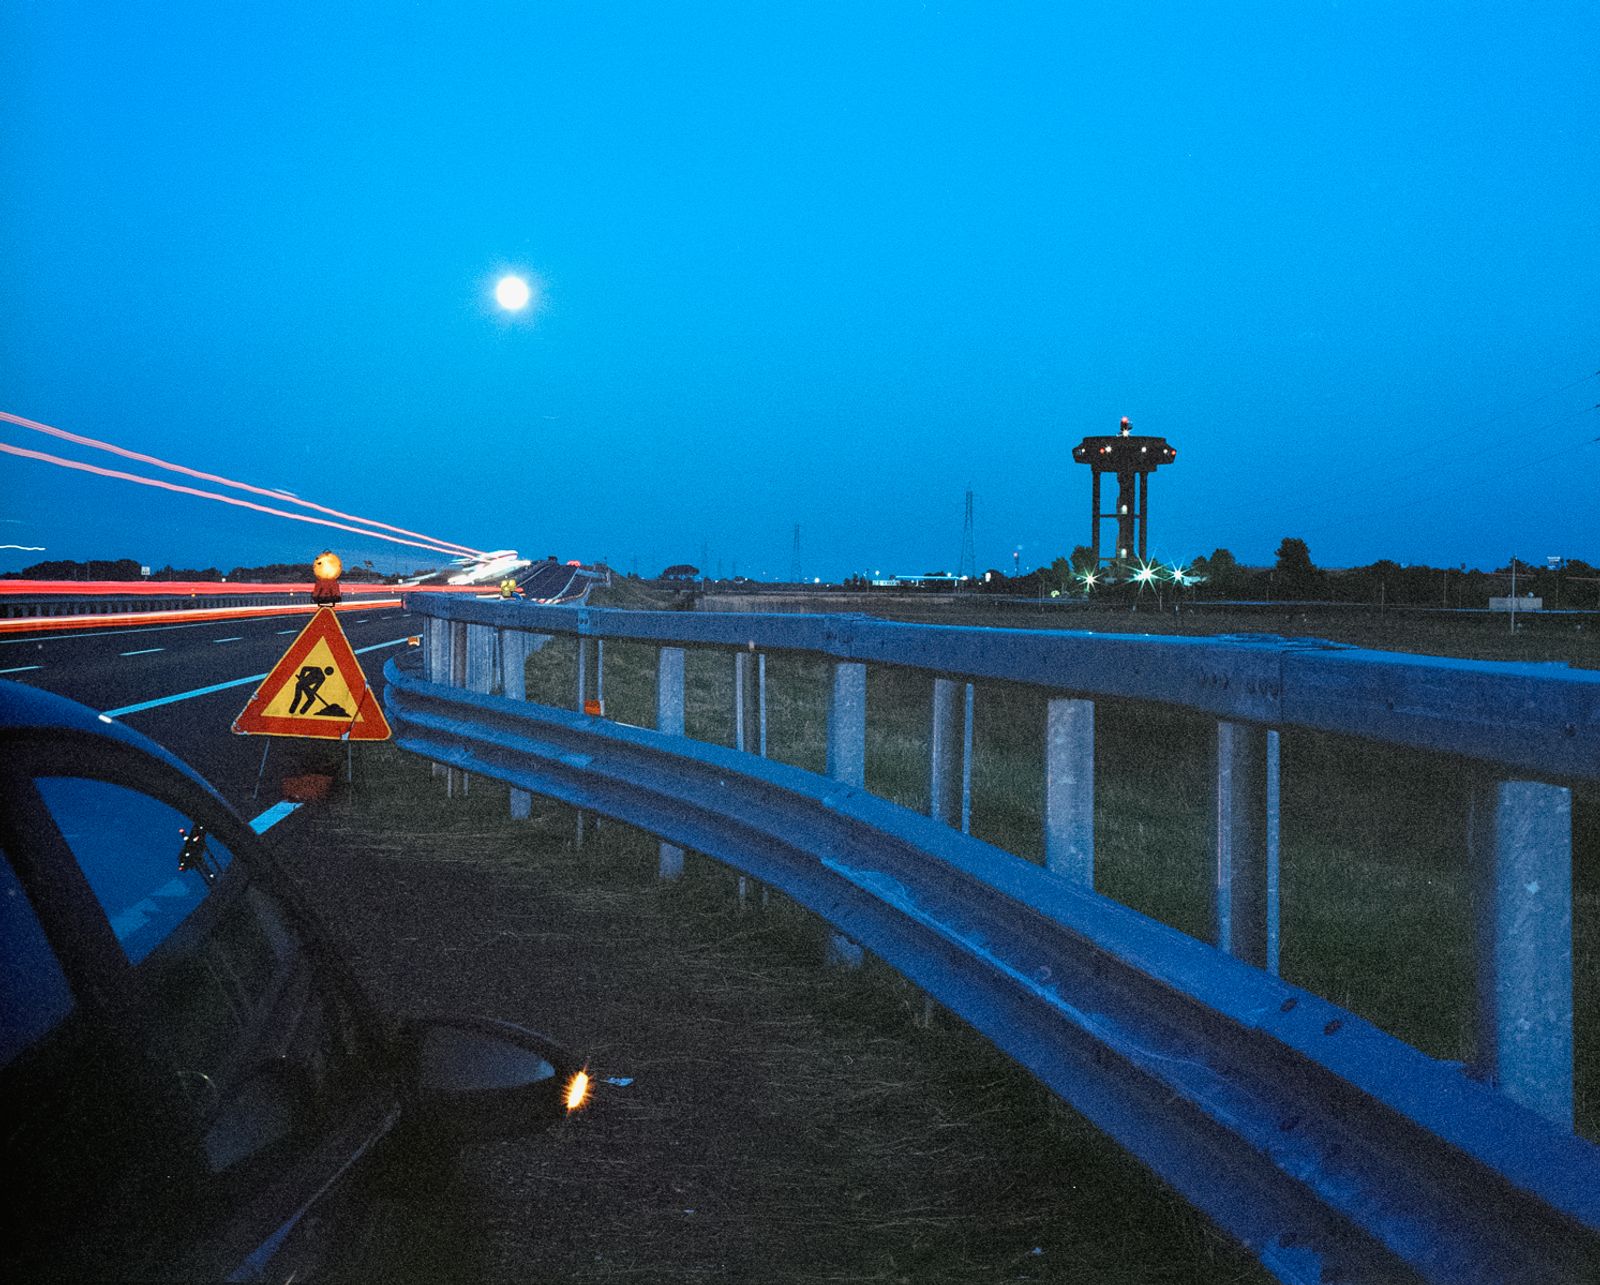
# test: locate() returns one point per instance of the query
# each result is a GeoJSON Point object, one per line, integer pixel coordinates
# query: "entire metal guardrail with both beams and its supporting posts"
{"type": "Point", "coordinates": [1327, 1147]}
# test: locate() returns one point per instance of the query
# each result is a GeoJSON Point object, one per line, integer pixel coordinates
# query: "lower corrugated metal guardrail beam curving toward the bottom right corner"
{"type": "Point", "coordinates": [1327, 1147]}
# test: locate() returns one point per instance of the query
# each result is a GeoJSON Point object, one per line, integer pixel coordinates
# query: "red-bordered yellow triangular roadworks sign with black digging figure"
{"type": "Point", "coordinates": [316, 691]}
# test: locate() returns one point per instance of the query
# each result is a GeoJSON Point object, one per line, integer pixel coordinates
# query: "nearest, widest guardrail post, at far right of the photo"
{"type": "Point", "coordinates": [1522, 862]}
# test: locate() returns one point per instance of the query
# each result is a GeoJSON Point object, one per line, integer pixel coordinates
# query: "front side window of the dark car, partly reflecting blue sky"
{"type": "Point", "coordinates": [234, 1006]}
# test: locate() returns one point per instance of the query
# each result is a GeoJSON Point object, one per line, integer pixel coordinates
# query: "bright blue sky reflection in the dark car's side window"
{"type": "Point", "coordinates": [148, 863]}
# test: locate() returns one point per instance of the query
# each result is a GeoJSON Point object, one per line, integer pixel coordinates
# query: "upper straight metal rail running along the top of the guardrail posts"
{"type": "Point", "coordinates": [1540, 719]}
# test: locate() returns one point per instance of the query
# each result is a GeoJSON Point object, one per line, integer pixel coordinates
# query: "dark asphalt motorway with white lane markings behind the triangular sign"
{"type": "Point", "coordinates": [119, 670]}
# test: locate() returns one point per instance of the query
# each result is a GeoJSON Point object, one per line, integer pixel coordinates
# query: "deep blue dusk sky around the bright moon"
{"type": "Point", "coordinates": [804, 265]}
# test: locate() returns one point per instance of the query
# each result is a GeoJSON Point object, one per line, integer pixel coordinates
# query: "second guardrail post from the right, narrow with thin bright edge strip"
{"type": "Point", "coordinates": [1246, 843]}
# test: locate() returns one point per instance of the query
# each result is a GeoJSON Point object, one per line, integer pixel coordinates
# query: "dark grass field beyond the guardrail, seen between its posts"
{"type": "Point", "coordinates": [1377, 900]}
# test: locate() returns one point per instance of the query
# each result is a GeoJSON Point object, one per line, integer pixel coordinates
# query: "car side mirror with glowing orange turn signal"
{"type": "Point", "coordinates": [474, 1079]}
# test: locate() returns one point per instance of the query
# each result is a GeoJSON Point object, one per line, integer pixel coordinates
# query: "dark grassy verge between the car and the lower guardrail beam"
{"type": "Point", "coordinates": [783, 1123]}
